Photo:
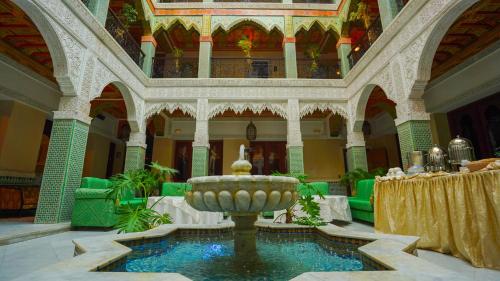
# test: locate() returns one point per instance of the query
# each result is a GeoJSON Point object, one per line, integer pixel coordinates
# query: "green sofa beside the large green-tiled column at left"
{"type": "Point", "coordinates": [93, 208]}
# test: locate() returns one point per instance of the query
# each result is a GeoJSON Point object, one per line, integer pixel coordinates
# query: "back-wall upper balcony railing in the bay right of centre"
{"type": "Point", "coordinates": [325, 69]}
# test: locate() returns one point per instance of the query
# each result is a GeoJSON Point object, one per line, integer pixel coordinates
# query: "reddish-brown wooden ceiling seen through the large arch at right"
{"type": "Point", "coordinates": [472, 32]}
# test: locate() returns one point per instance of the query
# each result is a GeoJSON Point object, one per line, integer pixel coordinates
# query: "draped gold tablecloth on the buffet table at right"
{"type": "Point", "coordinates": [457, 214]}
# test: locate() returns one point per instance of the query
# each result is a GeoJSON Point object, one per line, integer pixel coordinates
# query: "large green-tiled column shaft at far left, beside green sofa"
{"type": "Point", "coordinates": [63, 170]}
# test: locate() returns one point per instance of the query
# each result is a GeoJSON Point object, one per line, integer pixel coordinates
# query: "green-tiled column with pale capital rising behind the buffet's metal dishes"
{"type": "Point", "coordinates": [414, 128]}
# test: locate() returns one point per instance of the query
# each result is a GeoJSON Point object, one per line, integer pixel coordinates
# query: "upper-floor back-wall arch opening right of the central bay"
{"type": "Point", "coordinates": [317, 53]}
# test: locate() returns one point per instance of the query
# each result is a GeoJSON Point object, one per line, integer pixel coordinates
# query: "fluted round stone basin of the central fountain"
{"type": "Point", "coordinates": [242, 194]}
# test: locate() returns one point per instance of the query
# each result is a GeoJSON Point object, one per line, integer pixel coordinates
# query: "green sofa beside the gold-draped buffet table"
{"type": "Point", "coordinates": [362, 204]}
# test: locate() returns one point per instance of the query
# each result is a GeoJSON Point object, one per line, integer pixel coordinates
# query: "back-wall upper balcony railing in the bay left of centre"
{"type": "Point", "coordinates": [171, 68]}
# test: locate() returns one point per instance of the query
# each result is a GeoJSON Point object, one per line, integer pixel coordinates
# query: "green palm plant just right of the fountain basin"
{"type": "Point", "coordinates": [306, 201]}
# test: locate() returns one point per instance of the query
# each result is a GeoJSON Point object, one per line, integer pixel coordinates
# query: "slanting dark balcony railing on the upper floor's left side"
{"type": "Point", "coordinates": [121, 34]}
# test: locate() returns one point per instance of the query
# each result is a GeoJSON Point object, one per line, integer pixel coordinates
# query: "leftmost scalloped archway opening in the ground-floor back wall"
{"type": "Point", "coordinates": [170, 136]}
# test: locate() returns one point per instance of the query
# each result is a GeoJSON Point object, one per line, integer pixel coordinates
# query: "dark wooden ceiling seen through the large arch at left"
{"type": "Point", "coordinates": [21, 40]}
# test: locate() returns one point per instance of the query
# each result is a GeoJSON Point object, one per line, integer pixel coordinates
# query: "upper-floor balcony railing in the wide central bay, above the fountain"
{"type": "Point", "coordinates": [248, 68]}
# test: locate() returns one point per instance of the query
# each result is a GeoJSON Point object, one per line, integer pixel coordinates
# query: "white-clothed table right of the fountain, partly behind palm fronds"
{"type": "Point", "coordinates": [333, 207]}
